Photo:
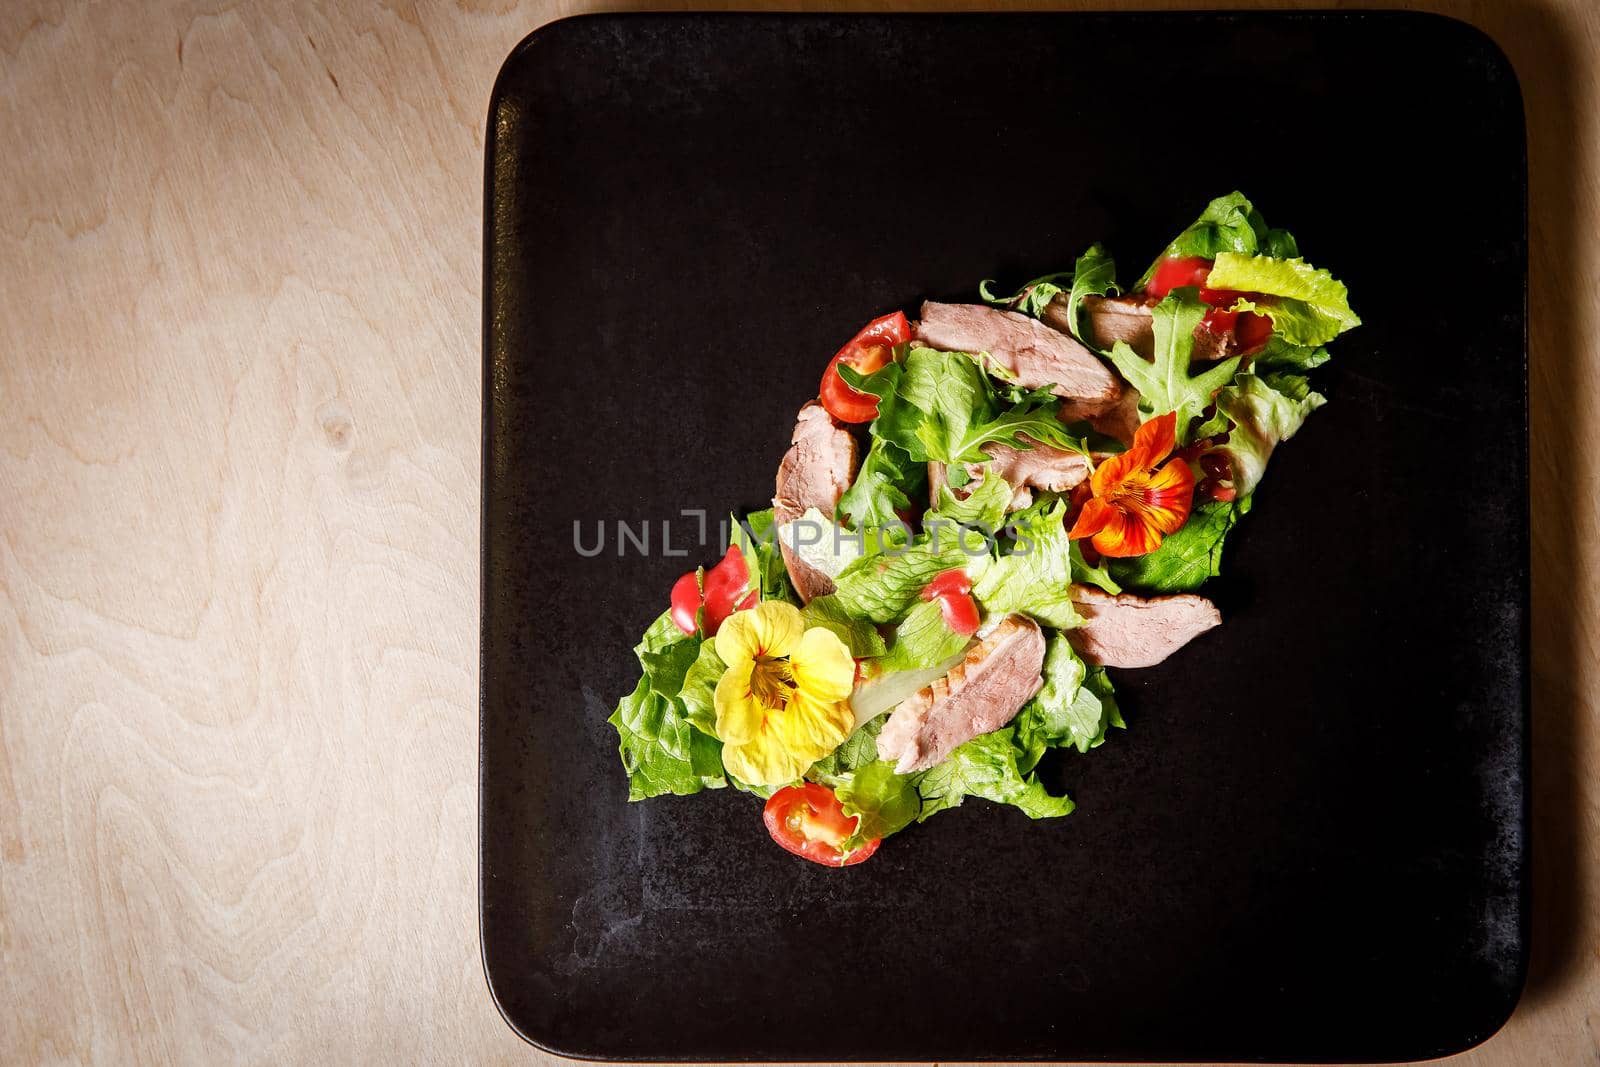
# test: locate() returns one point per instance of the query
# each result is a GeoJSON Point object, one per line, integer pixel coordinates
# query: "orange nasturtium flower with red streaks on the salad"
{"type": "Point", "coordinates": [1137, 500]}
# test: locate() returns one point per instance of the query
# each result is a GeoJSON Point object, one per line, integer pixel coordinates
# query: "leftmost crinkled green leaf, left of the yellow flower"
{"type": "Point", "coordinates": [660, 751]}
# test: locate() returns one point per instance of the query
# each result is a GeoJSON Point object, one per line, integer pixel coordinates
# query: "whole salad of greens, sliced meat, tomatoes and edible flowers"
{"type": "Point", "coordinates": [983, 511]}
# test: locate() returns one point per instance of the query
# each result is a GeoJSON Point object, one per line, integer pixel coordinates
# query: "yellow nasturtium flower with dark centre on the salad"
{"type": "Point", "coordinates": [785, 700]}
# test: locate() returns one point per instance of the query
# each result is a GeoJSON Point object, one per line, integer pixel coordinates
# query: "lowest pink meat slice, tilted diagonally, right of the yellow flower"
{"type": "Point", "coordinates": [980, 695]}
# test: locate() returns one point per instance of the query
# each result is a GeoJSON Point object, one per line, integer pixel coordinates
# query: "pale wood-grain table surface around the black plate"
{"type": "Point", "coordinates": [239, 546]}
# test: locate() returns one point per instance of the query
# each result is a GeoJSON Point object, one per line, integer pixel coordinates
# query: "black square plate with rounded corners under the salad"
{"type": "Point", "coordinates": [1311, 842]}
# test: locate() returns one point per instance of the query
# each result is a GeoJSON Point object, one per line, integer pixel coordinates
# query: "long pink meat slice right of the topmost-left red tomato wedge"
{"type": "Point", "coordinates": [1034, 354]}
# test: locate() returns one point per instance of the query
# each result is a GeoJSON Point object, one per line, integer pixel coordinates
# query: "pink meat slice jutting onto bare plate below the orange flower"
{"type": "Point", "coordinates": [1132, 631]}
